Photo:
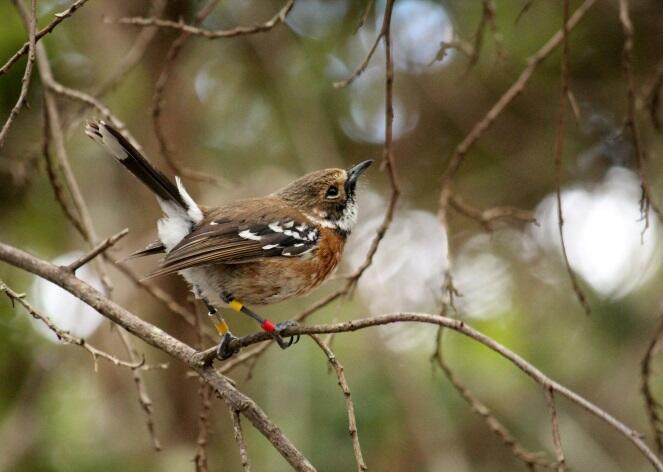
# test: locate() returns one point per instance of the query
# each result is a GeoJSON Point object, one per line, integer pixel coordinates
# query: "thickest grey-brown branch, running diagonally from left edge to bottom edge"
{"type": "Point", "coordinates": [162, 341]}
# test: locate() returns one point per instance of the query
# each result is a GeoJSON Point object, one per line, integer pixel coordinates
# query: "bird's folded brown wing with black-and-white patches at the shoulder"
{"type": "Point", "coordinates": [227, 241]}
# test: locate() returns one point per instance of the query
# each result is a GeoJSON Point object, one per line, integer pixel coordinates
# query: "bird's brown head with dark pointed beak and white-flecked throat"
{"type": "Point", "coordinates": [327, 196]}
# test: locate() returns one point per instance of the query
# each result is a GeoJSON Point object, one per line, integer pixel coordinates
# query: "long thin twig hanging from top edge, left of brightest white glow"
{"type": "Point", "coordinates": [559, 149]}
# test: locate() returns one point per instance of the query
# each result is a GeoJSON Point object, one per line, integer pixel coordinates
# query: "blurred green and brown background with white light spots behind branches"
{"type": "Point", "coordinates": [258, 111]}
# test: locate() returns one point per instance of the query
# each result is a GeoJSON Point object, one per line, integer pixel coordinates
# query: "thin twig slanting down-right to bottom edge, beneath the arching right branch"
{"type": "Point", "coordinates": [530, 459]}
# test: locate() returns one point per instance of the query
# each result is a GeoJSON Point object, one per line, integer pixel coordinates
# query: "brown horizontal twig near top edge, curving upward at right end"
{"type": "Point", "coordinates": [276, 20]}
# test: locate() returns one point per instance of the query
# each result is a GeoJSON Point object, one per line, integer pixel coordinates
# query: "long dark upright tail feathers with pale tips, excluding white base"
{"type": "Point", "coordinates": [127, 155]}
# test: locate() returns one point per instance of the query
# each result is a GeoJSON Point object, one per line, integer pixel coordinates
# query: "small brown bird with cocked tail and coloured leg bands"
{"type": "Point", "coordinates": [255, 251]}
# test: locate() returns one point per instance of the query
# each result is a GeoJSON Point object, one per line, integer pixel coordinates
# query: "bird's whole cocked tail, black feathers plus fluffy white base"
{"type": "Point", "coordinates": [182, 213]}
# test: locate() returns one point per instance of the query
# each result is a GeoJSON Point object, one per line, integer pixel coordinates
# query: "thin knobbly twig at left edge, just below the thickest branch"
{"type": "Point", "coordinates": [67, 338]}
